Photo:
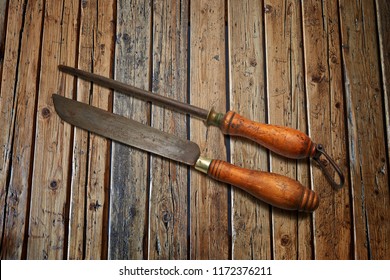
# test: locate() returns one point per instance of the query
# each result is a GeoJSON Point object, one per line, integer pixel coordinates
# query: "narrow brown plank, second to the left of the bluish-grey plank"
{"type": "Point", "coordinates": [78, 205]}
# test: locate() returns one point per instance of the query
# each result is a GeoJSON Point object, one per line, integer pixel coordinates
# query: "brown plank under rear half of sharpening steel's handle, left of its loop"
{"type": "Point", "coordinates": [286, 107]}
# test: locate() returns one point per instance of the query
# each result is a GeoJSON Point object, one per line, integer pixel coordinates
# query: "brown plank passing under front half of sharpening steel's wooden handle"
{"type": "Point", "coordinates": [251, 238]}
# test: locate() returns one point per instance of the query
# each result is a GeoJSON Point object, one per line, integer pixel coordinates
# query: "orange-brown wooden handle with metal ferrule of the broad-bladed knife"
{"type": "Point", "coordinates": [277, 190]}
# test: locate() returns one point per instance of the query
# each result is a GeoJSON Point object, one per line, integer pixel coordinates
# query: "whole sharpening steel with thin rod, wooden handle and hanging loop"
{"type": "Point", "coordinates": [282, 140]}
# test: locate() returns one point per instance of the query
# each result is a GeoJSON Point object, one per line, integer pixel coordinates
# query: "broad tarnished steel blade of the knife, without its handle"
{"type": "Point", "coordinates": [125, 130]}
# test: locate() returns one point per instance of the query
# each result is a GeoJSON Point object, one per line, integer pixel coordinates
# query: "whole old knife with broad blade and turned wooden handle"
{"type": "Point", "coordinates": [277, 190]}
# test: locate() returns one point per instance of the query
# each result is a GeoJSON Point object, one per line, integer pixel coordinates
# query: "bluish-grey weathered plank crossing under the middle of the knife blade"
{"type": "Point", "coordinates": [129, 174]}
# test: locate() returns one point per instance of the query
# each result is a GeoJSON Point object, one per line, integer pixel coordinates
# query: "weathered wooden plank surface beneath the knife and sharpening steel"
{"type": "Point", "coordinates": [319, 66]}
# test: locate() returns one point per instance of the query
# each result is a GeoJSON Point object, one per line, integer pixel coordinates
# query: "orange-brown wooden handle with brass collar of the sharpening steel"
{"type": "Point", "coordinates": [282, 140]}
